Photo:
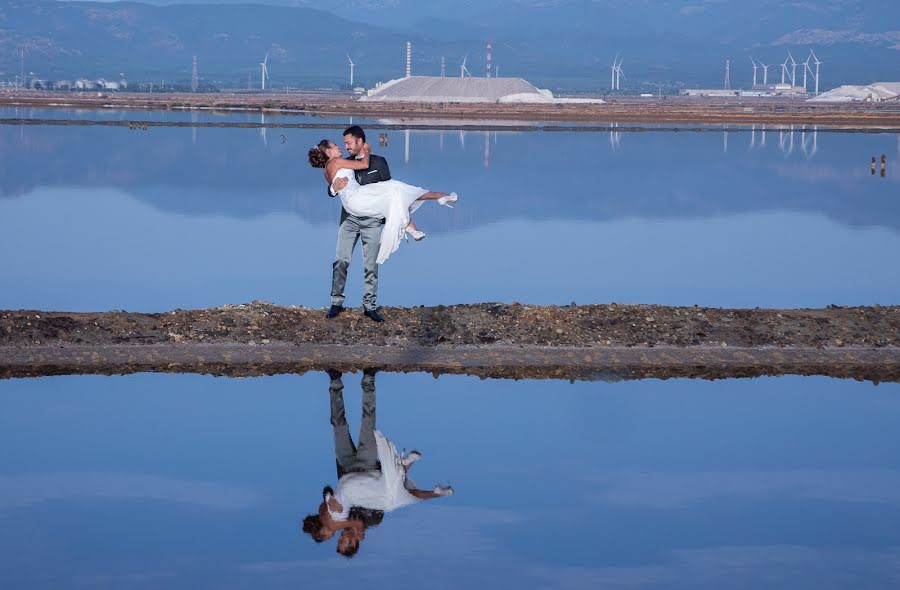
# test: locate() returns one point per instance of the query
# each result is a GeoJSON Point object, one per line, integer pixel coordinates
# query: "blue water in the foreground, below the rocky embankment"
{"type": "Point", "coordinates": [186, 481]}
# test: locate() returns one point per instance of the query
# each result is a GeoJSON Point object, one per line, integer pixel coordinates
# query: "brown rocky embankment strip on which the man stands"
{"type": "Point", "coordinates": [503, 340]}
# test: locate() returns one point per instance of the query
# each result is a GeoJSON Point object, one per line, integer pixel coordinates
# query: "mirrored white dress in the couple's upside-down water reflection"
{"type": "Point", "coordinates": [385, 490]}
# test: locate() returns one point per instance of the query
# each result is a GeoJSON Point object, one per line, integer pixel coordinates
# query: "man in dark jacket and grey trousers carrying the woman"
{"type": "Point", "coordinates": [353, 228]}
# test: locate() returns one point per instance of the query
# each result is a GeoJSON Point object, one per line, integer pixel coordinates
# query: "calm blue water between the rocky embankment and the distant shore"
{"type": "Point", "coordinates": [113, 218]}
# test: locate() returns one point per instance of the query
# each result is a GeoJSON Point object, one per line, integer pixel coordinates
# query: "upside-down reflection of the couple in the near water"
{"type": "Point", "coordinates": [372, 476]}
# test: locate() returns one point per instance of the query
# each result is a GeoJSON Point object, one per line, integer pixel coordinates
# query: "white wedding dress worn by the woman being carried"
{"type": "Point", "coordinates": [391, 199]}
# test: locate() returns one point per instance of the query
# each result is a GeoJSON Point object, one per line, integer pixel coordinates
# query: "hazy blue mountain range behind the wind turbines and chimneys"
{"type": "Point", "coordinates": [558, 44]}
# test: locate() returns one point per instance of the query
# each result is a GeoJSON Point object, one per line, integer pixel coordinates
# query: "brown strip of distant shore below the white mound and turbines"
{"type": "Point", "coordinates": [671, 109]}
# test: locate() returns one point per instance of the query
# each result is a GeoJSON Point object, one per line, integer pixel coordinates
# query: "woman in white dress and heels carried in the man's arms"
{"type": "Point", "coordinates": [391, 199]}
